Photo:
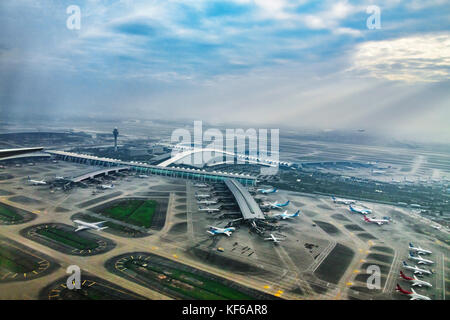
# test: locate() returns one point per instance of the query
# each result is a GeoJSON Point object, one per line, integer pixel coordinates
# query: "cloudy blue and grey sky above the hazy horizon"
{"type": "Point", "coordinates": [265, 63]}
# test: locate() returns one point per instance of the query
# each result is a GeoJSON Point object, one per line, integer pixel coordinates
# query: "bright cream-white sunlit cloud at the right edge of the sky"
{"type": "Point", "coordinates": [420, 58]}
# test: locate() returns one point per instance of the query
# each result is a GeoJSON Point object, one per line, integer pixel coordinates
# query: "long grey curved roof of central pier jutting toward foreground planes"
{"type": "Point", "coordinates": [249, 208]}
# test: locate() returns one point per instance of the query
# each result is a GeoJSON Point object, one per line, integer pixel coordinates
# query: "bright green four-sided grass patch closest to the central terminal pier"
{"type": "Point", "coordinates": [136, 212]}
